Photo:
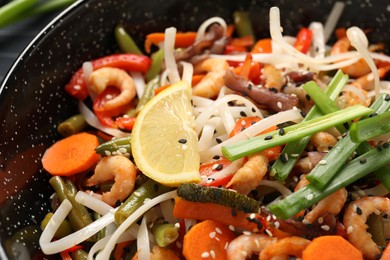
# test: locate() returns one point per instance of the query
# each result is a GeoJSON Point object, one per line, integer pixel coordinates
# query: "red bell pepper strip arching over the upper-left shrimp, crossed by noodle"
{"type": "Point", "coordinates": [77, 86]}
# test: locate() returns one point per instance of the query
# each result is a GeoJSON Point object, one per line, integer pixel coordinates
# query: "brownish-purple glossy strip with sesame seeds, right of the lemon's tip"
{"type": "Point", "coordinates": [262, 96]}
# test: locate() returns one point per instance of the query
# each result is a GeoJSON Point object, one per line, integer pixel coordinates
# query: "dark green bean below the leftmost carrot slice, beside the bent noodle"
{"type": "Point", "coordinates": [78, 216]}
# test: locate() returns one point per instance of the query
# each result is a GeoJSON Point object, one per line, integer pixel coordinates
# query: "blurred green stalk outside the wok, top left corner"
{"type": "Point", "coordinates": [13, 9]}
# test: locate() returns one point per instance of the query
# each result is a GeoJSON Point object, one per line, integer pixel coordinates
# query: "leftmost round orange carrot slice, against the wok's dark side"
{"type": "Point", "coordinates": [71, 155]}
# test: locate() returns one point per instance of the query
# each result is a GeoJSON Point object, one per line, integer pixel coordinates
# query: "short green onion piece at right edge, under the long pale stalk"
{"type": "Point", "coordinates": [371, 127]}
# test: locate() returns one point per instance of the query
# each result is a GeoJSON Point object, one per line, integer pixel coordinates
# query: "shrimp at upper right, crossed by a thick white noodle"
{"type": "Point", "coordinates": [355, 70]}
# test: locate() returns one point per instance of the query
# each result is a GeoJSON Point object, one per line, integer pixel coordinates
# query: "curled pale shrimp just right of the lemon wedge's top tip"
{"type": "Point", "coordinates": [212, 83]}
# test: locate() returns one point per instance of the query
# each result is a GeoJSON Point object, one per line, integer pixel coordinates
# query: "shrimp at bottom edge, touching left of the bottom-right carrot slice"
{"type": "Point", "coordinates": [285, 247]}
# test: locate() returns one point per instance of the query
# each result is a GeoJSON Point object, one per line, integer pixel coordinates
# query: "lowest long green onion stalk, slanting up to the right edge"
{"type": "Point", "coordinates": [351, 172]}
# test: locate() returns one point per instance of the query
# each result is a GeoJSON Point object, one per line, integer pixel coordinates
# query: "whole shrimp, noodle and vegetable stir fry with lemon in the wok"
{"type": "Point", "coordinates": [215, 144]}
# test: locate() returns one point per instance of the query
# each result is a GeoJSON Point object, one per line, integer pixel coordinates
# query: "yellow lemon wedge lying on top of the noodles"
{"type": "Point", "coordinates": [164, 143]}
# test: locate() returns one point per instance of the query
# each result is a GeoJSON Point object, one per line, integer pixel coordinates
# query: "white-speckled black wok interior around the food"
{"type": "Point", "coordinates": [33, 100]}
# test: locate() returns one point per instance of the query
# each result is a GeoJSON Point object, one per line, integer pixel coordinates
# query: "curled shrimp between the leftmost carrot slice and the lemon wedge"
{"type": "Point", "coordinates": [115, 167]}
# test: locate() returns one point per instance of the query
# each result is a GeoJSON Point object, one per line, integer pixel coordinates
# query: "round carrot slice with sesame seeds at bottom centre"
{"type": "Point", "coordinates": [200, 241]}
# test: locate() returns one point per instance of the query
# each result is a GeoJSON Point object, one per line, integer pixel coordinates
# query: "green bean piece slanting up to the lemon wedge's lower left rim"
{"type": "Point", "coordinates": [146, 191]}
